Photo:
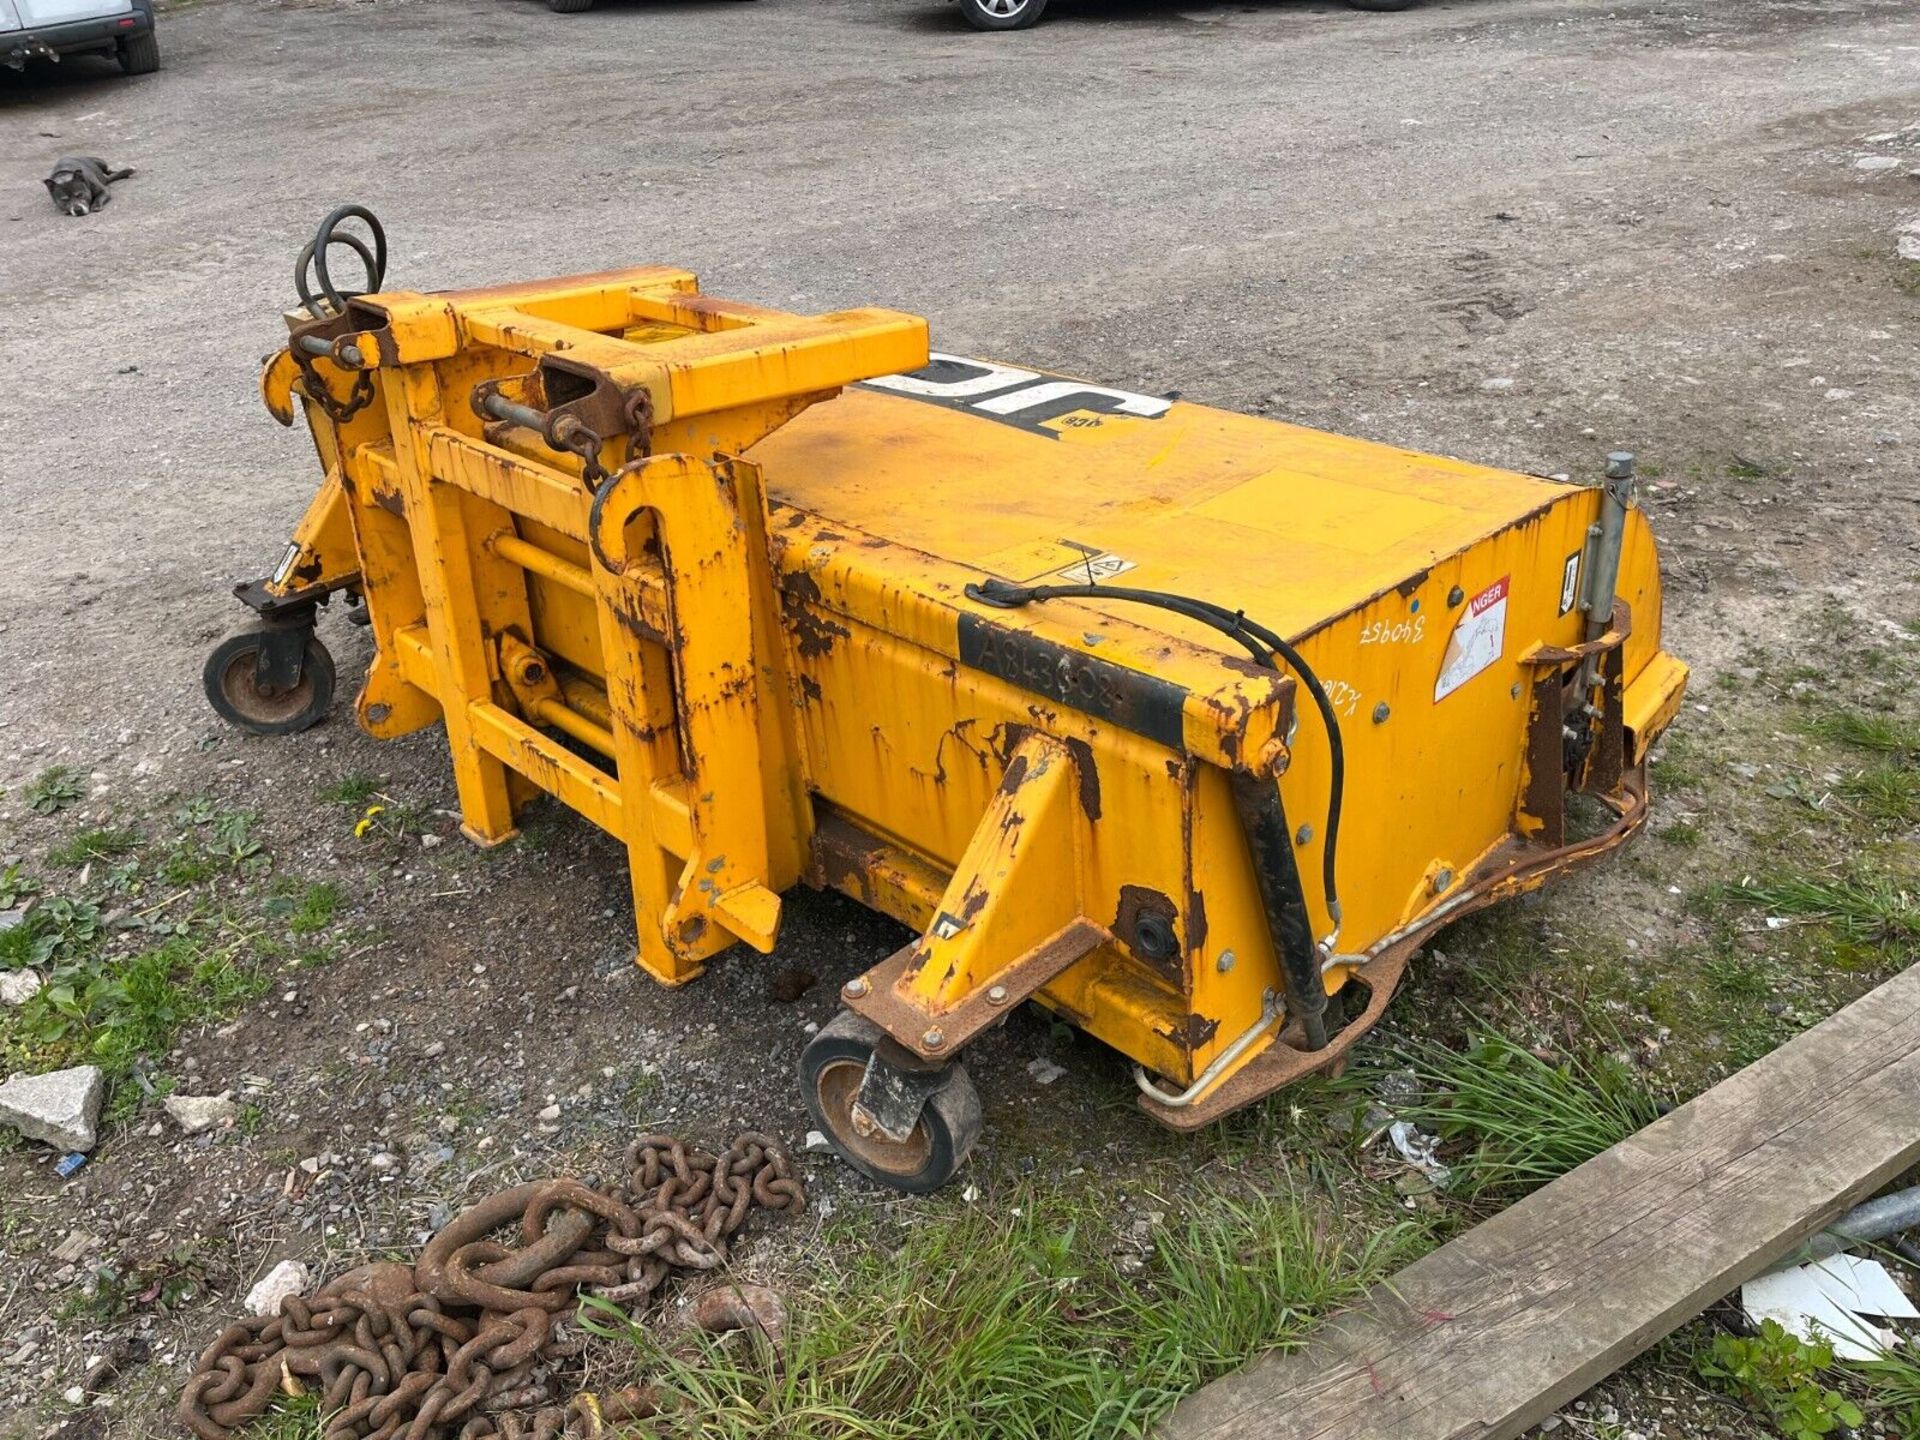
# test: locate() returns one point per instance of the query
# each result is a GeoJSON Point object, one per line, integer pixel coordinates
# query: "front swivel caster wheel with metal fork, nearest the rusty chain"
{"type": "Point", "coordinates": [924, 1151]}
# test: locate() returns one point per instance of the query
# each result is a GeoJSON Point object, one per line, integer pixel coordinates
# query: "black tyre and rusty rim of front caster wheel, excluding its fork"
{"type": "Point", "coordinates": [832, 1070]}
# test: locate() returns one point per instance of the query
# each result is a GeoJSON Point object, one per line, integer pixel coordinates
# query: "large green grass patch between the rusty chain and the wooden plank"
{"type": "Point", "coordinates": [1020, 1322]}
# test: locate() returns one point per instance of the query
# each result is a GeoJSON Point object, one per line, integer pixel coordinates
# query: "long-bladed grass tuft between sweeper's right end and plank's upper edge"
{"type": "Point", "coordinates": [1527, 1120]}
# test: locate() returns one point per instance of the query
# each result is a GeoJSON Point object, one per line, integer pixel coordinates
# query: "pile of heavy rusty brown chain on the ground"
{"type": "Point", "coordinates": [464, 1345]}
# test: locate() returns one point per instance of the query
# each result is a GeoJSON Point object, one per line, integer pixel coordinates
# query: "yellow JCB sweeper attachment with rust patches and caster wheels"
{"type": "Point", "coordinates": [1186, 725]}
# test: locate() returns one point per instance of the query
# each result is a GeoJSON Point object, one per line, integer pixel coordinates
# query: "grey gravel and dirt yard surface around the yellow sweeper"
{"type": "Point", "coordinates": [1518, 231]}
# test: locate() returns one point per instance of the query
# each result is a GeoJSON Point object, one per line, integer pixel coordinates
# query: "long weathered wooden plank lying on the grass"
{"type": "Point", "coordinates": [1504, 1326]}
